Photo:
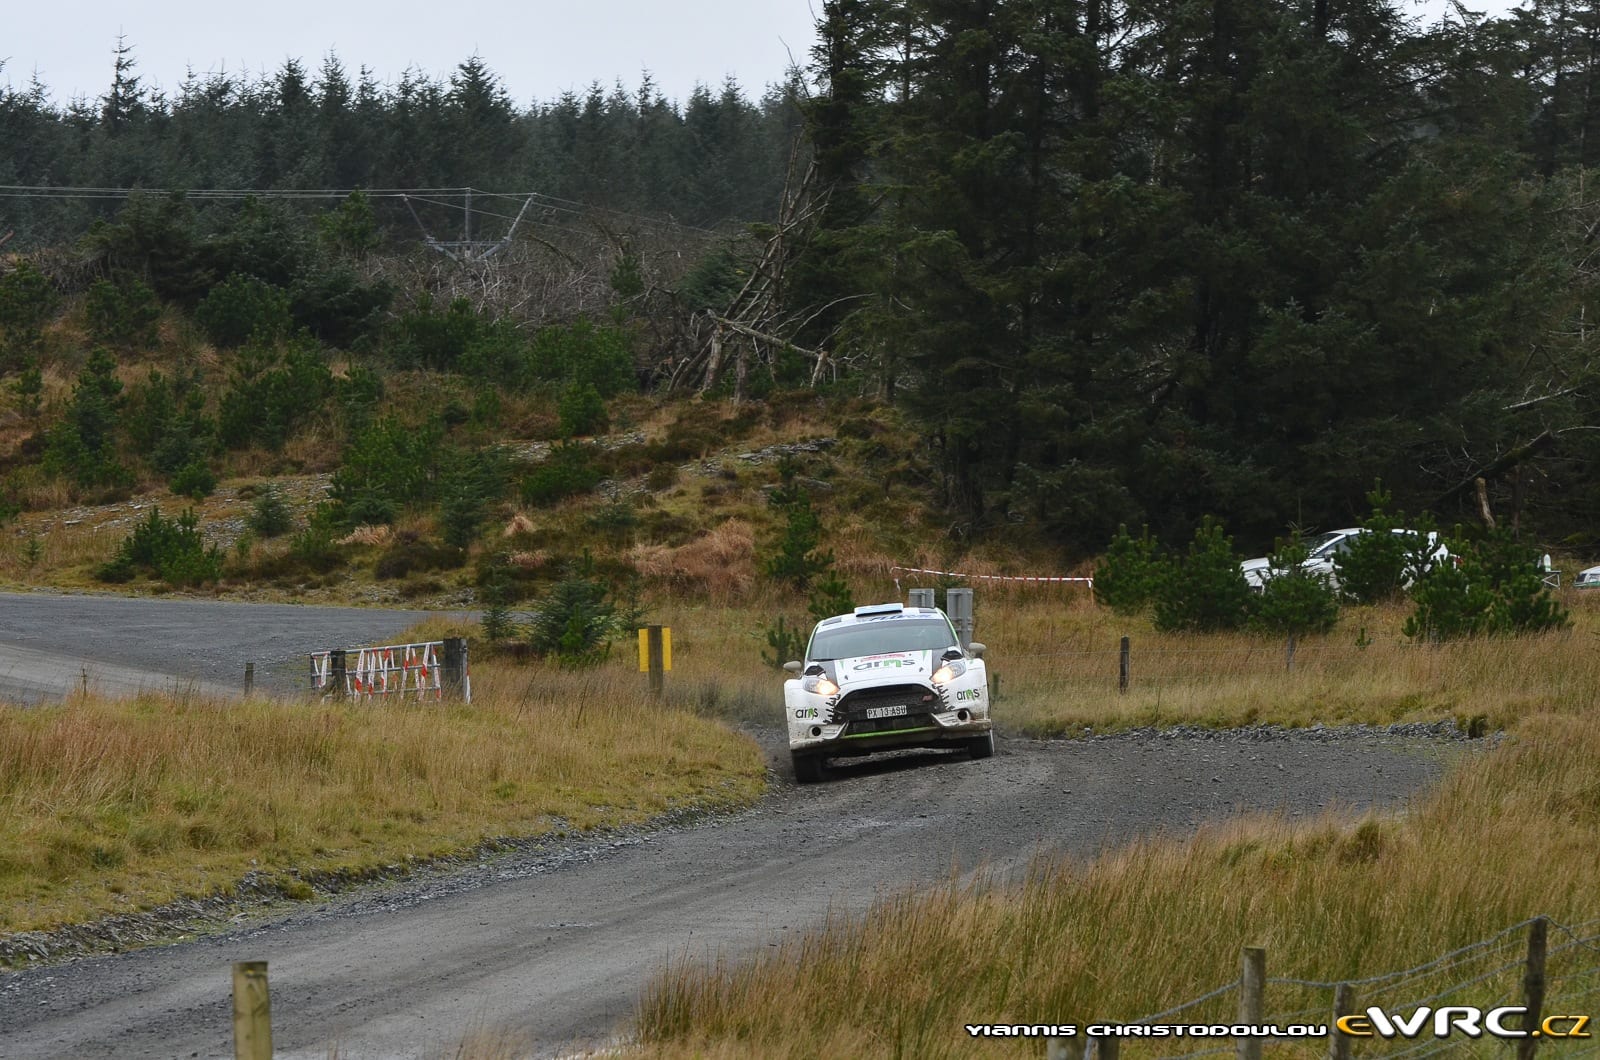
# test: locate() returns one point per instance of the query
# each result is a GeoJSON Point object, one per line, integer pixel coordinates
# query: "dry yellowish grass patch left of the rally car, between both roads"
{"type": "Point", "coordinates": [113, 806]}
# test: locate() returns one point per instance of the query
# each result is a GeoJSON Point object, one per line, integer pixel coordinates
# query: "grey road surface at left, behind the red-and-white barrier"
{"type": "Point", "coordinates": [49, 643]}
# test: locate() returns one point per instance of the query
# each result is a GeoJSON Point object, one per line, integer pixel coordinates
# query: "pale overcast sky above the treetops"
{"type": "Point", "coordinates": [540, 49]}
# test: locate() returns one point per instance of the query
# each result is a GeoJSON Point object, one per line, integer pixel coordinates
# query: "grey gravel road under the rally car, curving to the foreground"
{"type": "Point", "coordinates": [554, 944]}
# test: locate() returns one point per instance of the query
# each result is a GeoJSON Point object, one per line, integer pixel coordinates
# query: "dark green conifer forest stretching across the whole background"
{"type": "Point", "coordinates": [1118, 262]}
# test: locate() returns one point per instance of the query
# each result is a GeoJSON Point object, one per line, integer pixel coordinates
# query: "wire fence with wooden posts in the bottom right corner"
{"type": "Point", "coordinates": [1522, 989]}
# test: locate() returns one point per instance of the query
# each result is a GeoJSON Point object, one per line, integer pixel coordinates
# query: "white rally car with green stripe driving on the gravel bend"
{"type": "Point", "coordinates": [887, 677]}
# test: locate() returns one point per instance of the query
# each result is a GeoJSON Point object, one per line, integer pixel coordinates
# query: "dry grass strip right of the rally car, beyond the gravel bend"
{"type": "Point", "coordinates": [1057, 669]}
